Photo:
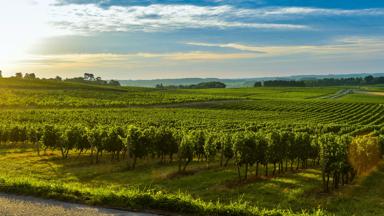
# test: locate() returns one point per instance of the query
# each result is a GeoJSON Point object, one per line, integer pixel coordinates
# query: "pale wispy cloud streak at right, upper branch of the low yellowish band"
{"type": "Point", "coordinates": [350, 45]}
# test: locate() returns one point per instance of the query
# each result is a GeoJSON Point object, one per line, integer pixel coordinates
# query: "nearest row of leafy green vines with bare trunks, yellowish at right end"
{"type": "Point", "coordinates": [341, 157]}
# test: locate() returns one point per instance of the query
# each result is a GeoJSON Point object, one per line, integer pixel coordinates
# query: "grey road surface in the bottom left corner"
{"type": "Point", "coordinates": [25, 205]}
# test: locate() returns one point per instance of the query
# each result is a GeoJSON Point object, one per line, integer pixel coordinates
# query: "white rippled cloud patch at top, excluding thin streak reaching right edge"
{"type": "Point", "coordinates": [92, 18]}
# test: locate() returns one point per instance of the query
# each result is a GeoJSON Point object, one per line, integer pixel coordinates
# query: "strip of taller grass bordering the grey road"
{"type": "Point", "coordinates": [131, 199]}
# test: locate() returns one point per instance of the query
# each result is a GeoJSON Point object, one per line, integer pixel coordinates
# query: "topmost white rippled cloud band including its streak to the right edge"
{"type": "Point", "coordinates": [91, 18]}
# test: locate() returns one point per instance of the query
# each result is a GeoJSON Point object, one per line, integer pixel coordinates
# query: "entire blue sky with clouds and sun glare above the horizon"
{"type": "Point", "coordinates": [151, 39]}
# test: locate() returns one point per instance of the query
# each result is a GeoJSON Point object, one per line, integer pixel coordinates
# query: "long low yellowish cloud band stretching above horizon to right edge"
{"type": "Point", "coordinates": [344, 47]}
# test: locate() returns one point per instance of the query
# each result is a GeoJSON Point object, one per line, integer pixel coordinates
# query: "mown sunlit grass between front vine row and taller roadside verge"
{"type": "Point", "coordinates": [297, 191]}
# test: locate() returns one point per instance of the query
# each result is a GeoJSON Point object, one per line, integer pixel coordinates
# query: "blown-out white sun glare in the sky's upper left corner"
{"type": "Point", "coordinates": [23, 23]}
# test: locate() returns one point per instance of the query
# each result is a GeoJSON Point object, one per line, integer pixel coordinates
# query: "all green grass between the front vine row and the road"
{"type": "Point", "coordinates": [205, 189]}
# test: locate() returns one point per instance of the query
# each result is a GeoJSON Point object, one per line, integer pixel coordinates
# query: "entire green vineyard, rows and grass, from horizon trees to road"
{"type": "Point", "coordinates": [197, 151]}
